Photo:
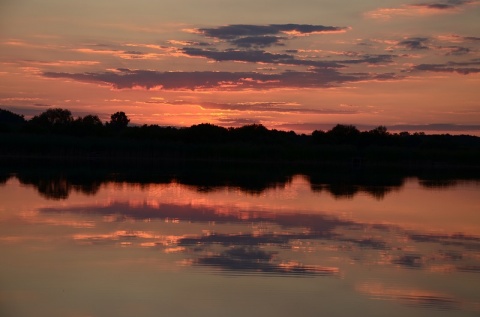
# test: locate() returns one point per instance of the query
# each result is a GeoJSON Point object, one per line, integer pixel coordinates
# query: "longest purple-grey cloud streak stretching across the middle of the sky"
{"type": "Point", "coordinates": [128, 79]}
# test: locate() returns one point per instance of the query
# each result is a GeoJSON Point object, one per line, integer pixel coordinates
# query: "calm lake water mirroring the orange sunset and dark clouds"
{"type": "Point", "coordinates": [298, 247]}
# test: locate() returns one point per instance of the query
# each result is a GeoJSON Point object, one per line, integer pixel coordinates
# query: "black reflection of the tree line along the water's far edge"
{"type": "Point", "coordinates": [59, 182]}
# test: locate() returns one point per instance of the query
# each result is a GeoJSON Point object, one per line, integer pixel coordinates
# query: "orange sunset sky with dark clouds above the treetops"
{"type": "Point", "coordinates": [305, 65]}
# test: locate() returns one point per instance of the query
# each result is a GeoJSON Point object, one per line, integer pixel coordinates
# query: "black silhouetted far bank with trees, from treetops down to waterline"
{"type": "Point", "coordinates": [56, 133]}
